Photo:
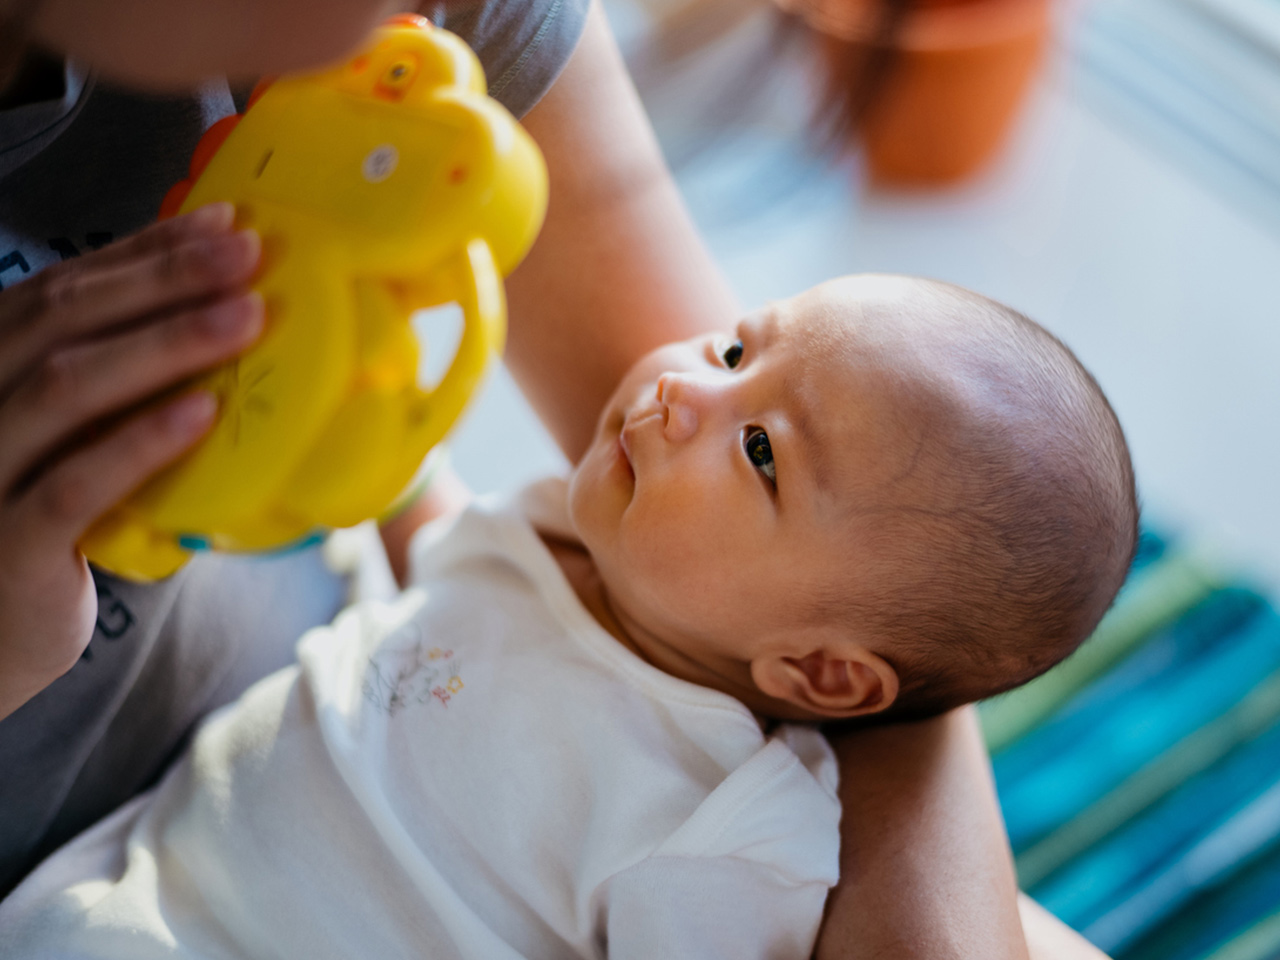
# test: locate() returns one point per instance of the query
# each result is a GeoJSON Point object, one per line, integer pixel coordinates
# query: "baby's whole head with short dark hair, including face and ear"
{"type": "Point", "coordinates": [886, 496]}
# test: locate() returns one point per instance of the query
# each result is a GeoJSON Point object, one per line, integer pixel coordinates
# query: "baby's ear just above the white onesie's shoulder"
{"type": "Point", "coordinates": [845, 682]}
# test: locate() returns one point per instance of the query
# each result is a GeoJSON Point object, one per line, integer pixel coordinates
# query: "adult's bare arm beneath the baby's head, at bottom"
{"type": "Point", "coordinates": [926, 870]}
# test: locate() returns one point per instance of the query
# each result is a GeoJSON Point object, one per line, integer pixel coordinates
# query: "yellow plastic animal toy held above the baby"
{"type": "Point", "coordinates": [380, 188]}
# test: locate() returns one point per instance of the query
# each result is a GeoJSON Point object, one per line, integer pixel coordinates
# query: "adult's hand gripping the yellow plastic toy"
{"type": "Point", "coordinates": [85, 349]}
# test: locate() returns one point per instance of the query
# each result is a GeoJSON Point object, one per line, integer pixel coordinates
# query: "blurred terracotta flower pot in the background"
{"type": "Point", "coordinates": [958, 75]}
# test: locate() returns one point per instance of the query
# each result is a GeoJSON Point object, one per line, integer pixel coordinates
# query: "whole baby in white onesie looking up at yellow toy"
{"type": "Point", "coordinates": [573, 737]}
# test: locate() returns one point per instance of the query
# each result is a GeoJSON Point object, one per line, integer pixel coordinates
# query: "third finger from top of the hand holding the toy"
{"type": "Point", "coordinates": [85, 382]}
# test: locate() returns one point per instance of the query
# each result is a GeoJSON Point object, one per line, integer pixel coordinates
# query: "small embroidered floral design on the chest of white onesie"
{"type": "Point", "coordinates": [406, 670]}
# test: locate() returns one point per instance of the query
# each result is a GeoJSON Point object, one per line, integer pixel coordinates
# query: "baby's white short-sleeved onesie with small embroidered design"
{"type": "Point", "coordinates": [477, 770]}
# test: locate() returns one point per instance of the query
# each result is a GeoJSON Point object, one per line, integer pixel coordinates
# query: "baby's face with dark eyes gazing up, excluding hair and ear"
{"type": "Point", "coordinates": [719, 495]}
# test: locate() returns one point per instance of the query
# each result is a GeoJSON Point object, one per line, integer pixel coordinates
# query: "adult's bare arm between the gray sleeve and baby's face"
{"type": "Point", "coordinates": [619, 268]}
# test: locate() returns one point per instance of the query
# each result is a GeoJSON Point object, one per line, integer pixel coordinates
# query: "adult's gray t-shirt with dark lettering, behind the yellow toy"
{"type": "Point", "coordinates": [77, 173]}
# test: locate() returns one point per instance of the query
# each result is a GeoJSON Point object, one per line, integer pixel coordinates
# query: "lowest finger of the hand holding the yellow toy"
{"type": "Point", "coordinates": [60, 508]}
